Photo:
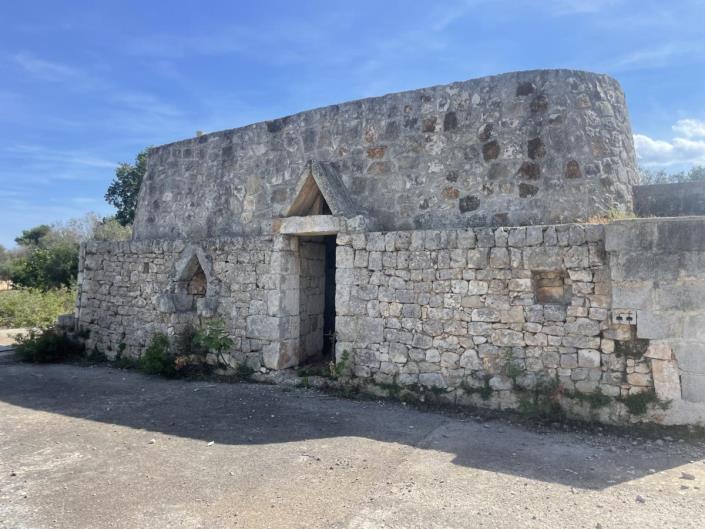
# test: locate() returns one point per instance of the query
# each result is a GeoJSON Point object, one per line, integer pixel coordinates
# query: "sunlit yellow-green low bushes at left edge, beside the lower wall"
{"type": "Point", "coordinates": [28, 307]}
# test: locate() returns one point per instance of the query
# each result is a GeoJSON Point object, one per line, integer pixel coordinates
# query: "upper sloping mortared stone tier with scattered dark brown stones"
{"type": "Point", "coordinates": [445, 156]}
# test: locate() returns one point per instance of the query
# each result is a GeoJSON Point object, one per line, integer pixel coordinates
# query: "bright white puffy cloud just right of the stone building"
{"type": "Point", "coordinates": [686, 148]}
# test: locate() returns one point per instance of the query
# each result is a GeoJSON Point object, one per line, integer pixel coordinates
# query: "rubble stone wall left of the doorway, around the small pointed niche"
{"type": "Point", "coordinates": [126, 294]}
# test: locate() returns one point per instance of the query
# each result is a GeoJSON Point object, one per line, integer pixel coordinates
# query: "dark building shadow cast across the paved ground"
{"type": "Point", "coordinates": [251, 414]}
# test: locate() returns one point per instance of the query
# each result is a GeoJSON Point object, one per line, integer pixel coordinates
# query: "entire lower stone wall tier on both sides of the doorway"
{"type": "Point", "coordinates": [477, 316]}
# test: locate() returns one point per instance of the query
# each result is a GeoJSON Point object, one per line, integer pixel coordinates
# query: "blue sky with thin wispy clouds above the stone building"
{"type": "Point", "coordinates": [85, 85]}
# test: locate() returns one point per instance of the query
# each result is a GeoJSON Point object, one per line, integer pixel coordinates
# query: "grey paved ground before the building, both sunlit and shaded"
{"type": "Point", "coordinates": [95, 447]}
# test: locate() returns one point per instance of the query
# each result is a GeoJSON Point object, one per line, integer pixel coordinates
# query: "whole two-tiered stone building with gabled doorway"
{"type": "Point", "coordinates": [435, 238]}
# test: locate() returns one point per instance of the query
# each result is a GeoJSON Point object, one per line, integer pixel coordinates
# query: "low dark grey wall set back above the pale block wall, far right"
{"type": "Point", "coordinates": [670, 200]}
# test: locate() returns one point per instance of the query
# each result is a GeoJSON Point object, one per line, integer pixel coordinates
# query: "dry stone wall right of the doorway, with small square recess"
{"type": "Point", "coordinates": [457, 311]}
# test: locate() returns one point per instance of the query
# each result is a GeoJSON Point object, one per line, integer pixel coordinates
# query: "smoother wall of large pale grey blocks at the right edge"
{"type": "Point", "coordinates": [657, 268]}
